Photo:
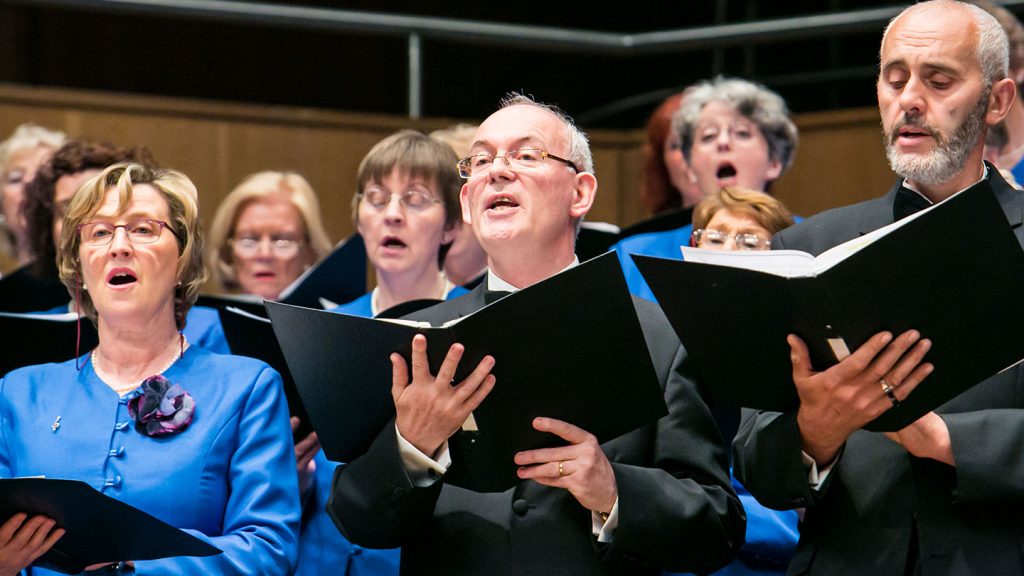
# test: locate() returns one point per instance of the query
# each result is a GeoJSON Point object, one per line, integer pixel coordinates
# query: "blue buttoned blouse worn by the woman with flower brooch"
{"type": "Point", "coordinates": [229, 479]}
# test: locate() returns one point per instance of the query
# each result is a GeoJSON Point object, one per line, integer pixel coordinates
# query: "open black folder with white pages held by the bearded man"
{"type": "Point", "coordinates": [955, 273]}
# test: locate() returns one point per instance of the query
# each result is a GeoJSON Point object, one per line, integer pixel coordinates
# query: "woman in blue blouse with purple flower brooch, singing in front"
{"type": "Point", "coordinates": [196, 439]}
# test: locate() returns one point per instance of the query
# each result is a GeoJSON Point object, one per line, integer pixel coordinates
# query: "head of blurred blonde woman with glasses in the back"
{"type": "Point", "coordinates": [266, 233]}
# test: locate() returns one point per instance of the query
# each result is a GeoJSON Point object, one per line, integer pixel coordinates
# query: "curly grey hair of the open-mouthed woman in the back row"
{"type": "Point", "coordinates": [763, 107]}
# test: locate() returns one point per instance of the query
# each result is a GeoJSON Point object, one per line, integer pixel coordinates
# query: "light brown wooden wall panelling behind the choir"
{"type": "Point", "coordinates": [840, 159]}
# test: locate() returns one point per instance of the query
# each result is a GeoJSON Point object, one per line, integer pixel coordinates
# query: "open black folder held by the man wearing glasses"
{"type": "Point", "coordinates": [570, 348]}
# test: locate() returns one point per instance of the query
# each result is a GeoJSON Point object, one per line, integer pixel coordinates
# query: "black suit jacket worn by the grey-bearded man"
{"type": "Point", "coordinates": [880, 505]}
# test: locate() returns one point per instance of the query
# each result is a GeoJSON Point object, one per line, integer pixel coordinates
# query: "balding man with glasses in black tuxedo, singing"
{"type": "Point", "coordinates": [657, 499]}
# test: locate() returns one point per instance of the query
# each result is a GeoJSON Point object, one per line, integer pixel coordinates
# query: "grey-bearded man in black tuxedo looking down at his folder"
{"type": "Point", "coordinates": [945, 496]}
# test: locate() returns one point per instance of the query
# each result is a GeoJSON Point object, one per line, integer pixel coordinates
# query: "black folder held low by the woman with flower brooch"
{"type": "Point", "coordinates": [99, 529]}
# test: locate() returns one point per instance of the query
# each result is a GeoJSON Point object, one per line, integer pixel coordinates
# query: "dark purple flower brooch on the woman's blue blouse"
{"type": "Point", "coordinates": [162, 408]}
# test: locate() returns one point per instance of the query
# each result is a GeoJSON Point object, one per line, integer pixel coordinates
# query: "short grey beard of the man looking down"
{"type": "Point", "coordinates": [950, 156]}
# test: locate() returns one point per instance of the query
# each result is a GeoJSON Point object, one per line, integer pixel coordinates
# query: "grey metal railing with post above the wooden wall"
{"type": "Point", "coordinates": [485, 33]}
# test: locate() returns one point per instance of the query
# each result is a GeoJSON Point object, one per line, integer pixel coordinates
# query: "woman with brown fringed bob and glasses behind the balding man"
{"type": "Point", "coordinates": [406, 209]}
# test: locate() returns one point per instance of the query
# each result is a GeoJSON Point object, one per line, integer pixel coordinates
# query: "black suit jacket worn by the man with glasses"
{"type": "Point", "coordinates": [677, 509]}
